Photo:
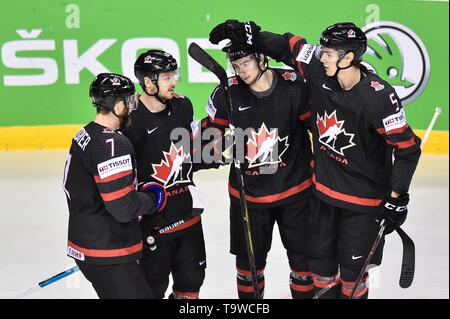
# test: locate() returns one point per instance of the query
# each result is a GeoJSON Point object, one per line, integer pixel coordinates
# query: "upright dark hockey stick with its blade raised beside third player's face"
{"type": "Point", "coordinates": [203, 58]}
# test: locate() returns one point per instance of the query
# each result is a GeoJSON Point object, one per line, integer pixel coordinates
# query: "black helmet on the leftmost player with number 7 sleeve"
{"type": "Point", "coordinates": [107, 87]}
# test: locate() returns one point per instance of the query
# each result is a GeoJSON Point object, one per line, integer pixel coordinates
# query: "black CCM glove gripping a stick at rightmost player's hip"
{"type": "Point", "coordinates": [395, 211]}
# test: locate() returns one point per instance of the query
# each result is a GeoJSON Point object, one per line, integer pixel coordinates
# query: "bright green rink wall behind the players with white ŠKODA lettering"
{"type": "Point", "coordinates": [68, 103]}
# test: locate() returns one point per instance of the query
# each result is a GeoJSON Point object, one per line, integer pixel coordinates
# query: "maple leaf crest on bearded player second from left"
{"type": "Point", "coordinates": [175, 168]}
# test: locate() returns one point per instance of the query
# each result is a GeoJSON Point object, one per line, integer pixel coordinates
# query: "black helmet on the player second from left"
{"type": "Point", "coordinates": [153, 62]}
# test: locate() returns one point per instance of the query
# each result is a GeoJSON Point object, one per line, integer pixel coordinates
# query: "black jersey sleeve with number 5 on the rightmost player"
{"type": "Point", "coordinates": [389, 120]}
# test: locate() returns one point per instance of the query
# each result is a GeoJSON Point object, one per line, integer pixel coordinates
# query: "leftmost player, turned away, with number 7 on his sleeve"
{"type": "Point", "coordinates": [104, 237]}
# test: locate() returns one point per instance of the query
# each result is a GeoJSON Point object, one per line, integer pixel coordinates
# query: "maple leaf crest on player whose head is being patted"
{"type": "Point", "coordinates": [265, 147]}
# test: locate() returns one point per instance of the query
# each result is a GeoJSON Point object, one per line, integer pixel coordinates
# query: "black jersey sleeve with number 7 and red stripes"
{"type": "Point", "coordinates": [112, 165]}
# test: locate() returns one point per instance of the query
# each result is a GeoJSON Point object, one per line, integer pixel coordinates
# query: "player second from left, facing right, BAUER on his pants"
{"type": "Point", "coordinates": [174, 240]}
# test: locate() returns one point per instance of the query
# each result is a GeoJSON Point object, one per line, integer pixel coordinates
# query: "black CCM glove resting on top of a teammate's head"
{"type": "Point", "coordinates": [237, 32]}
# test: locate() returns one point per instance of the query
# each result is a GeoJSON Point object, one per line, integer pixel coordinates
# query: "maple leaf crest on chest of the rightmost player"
{"type": "Point", "coordinates": [332, 133]}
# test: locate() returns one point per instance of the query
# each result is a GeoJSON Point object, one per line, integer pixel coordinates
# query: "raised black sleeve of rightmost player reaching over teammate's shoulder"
{"type": "Point", "coordinates": [292, 50]}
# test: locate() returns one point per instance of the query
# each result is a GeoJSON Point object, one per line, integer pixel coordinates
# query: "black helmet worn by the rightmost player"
{"type": "Point", "coordinates": [345, 37]}
